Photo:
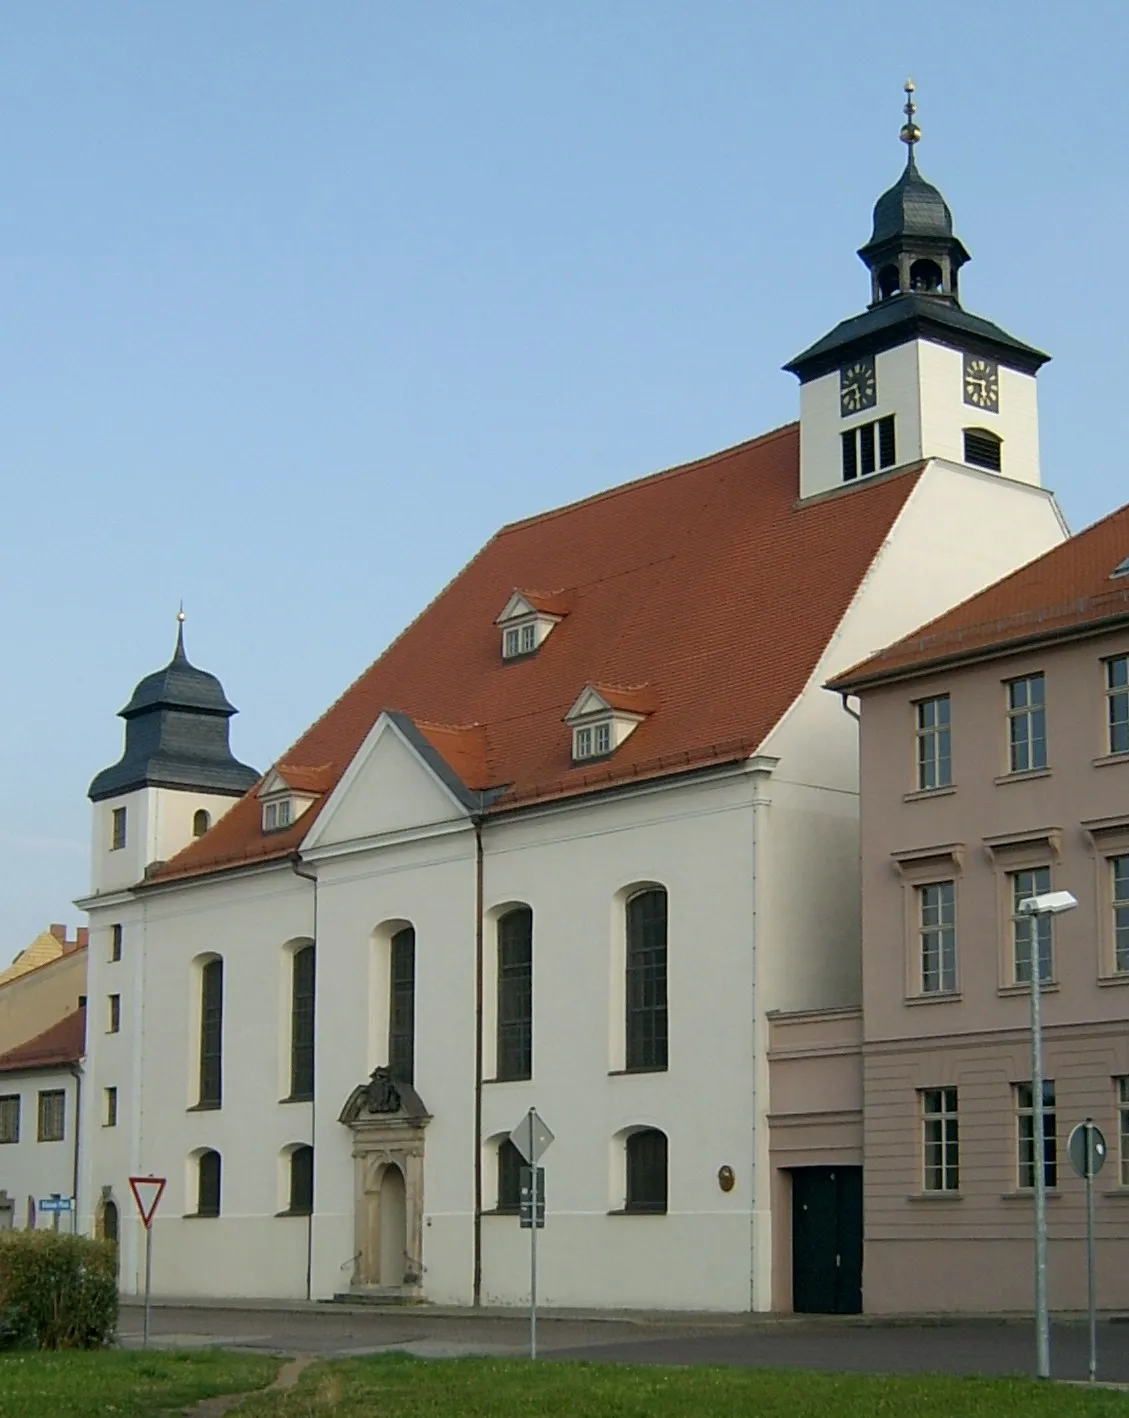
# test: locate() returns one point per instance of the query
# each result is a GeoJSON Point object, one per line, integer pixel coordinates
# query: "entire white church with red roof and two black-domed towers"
{"type": "Point", "coordinates": [568, 843]}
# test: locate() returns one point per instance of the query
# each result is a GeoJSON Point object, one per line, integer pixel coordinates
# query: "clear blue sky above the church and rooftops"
{"type": "Point", "coordinates": [303, 301]}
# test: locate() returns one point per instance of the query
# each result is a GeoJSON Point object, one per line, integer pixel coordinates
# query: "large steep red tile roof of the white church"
{"type": "Point", "coordinates": [706, 589]}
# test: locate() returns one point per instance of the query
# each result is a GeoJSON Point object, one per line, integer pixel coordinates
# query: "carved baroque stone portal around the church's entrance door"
{"type": "Point", "coordinates": [388, 1121]}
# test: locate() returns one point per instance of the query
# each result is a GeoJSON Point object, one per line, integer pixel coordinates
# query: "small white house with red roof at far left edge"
{"type": "Point", "coordinates": [40, 1085]}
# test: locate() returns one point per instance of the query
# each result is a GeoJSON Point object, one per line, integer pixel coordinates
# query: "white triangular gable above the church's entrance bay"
{"type": "Point", "coordinates": [396, 783]}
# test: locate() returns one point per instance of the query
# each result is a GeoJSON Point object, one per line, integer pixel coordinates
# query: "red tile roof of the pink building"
{"type": "Point", "coordinates": [1067, 592]}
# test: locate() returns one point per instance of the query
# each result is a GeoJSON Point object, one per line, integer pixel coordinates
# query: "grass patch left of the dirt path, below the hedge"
{"type": "Point", "coordinates": [123, 1383]}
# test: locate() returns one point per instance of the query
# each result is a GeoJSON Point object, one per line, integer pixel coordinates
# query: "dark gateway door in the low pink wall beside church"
{"type": "Point", "coordinates": [828, 1240]}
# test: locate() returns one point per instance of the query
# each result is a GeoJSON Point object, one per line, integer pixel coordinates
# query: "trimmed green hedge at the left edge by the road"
{"type": "Point", "coordinates": [57, 1291]}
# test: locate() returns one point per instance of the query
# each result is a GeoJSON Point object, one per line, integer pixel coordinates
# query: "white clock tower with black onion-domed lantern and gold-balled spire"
{"type": "Point", "coordinates": [916, 376]}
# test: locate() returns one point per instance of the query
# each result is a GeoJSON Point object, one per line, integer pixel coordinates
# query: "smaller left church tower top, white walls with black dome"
{"type": "Point", "coordinates": [177, 775]}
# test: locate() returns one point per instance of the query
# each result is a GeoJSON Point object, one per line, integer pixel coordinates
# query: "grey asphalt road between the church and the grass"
{"type": "Point", "coordinates": [977, 1348]}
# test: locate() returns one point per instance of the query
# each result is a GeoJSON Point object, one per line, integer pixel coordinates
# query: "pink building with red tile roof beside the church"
{"type": "Point", "coordinates": [995, 765]}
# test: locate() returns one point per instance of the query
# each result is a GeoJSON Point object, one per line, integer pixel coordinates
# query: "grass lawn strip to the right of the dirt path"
{"type": "Point", "coordinates": [402, 1388]}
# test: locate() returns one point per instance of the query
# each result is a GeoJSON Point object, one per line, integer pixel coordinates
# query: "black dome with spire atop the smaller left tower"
{"type": "Point", "coordinates": [177, 737]}
